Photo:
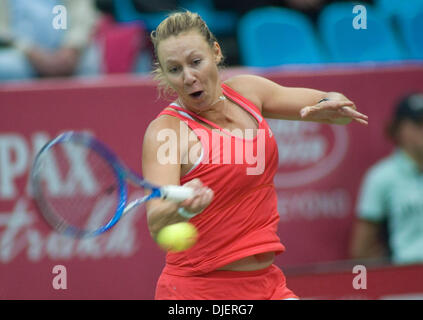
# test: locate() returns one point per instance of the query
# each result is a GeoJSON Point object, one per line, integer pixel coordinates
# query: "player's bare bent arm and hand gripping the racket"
{"type": "Point", "coordinates": [162, 212]}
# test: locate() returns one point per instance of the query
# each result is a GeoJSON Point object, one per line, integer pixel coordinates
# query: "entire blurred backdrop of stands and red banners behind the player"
{"type": "Point", "coordinates": [85, 65]}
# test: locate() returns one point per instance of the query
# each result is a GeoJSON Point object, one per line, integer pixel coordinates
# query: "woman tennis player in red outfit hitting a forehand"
{"type": "Point", "coordinates": [234, 209]}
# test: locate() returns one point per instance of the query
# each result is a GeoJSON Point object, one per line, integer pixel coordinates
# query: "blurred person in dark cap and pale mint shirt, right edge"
{"type": "Point", "coordinates": [392, 192]}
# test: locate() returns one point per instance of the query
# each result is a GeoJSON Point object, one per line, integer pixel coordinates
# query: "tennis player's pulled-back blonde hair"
{"type": "Point", "coordinates": [175, 24]}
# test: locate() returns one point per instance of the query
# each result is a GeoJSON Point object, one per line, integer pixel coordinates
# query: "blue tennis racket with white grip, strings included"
{"type": "Point", "coordinates": [92, 197]}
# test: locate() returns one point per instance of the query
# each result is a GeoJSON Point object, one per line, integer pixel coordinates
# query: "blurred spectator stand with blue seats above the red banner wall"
{"type": "Point", "coordinates": [112, 36]}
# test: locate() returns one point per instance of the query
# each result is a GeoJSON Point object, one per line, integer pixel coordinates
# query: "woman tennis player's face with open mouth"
{"type": "Point", "coordinates": [189, 66]}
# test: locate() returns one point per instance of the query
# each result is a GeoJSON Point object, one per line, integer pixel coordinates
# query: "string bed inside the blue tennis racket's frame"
{"type": "Point", "coordinates": [87, 195]}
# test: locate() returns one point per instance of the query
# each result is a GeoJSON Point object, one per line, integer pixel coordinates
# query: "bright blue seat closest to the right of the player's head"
{"type": "Point", "coordinates": [273, 36]}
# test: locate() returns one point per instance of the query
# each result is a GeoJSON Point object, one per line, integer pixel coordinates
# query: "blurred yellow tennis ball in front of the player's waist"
{"type": "Point", "coordinates": [177, 237]}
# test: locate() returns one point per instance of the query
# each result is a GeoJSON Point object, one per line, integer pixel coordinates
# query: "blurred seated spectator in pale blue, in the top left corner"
{"type": "Point", "coordinates": [31, 46]}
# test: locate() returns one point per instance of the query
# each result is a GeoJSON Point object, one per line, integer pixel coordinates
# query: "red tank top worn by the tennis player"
{"type": "Point", "coordinates": [242, 219]}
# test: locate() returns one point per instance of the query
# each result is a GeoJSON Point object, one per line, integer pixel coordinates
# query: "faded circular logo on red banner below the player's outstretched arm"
{"type": "Point", "coordinates": [308, 151]}
